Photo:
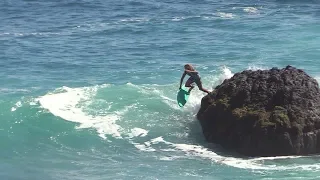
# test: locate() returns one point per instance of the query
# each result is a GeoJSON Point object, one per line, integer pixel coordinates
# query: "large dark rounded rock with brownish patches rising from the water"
{"type": "Point", "coordinates": [264, 113]}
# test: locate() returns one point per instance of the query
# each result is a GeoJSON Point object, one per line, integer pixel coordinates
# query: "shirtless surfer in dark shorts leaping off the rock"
{"type": "Point", "coordinates": [194, 77]}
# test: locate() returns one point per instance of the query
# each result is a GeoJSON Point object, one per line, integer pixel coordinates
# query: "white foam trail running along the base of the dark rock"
{"type": "Point", "coordinates": [198, 151]}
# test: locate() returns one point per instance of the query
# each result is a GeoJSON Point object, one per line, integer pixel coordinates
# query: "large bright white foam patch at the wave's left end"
{"type": "Point", "coordinates": [70, 103]}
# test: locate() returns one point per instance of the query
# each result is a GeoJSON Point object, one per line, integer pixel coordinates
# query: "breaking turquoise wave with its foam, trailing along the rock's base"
{"type": "Point", "coordinates": [143, 115]}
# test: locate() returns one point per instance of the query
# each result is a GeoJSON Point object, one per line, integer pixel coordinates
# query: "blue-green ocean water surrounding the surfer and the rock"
{"type": "Point", "coordinates": [88, 88]}
